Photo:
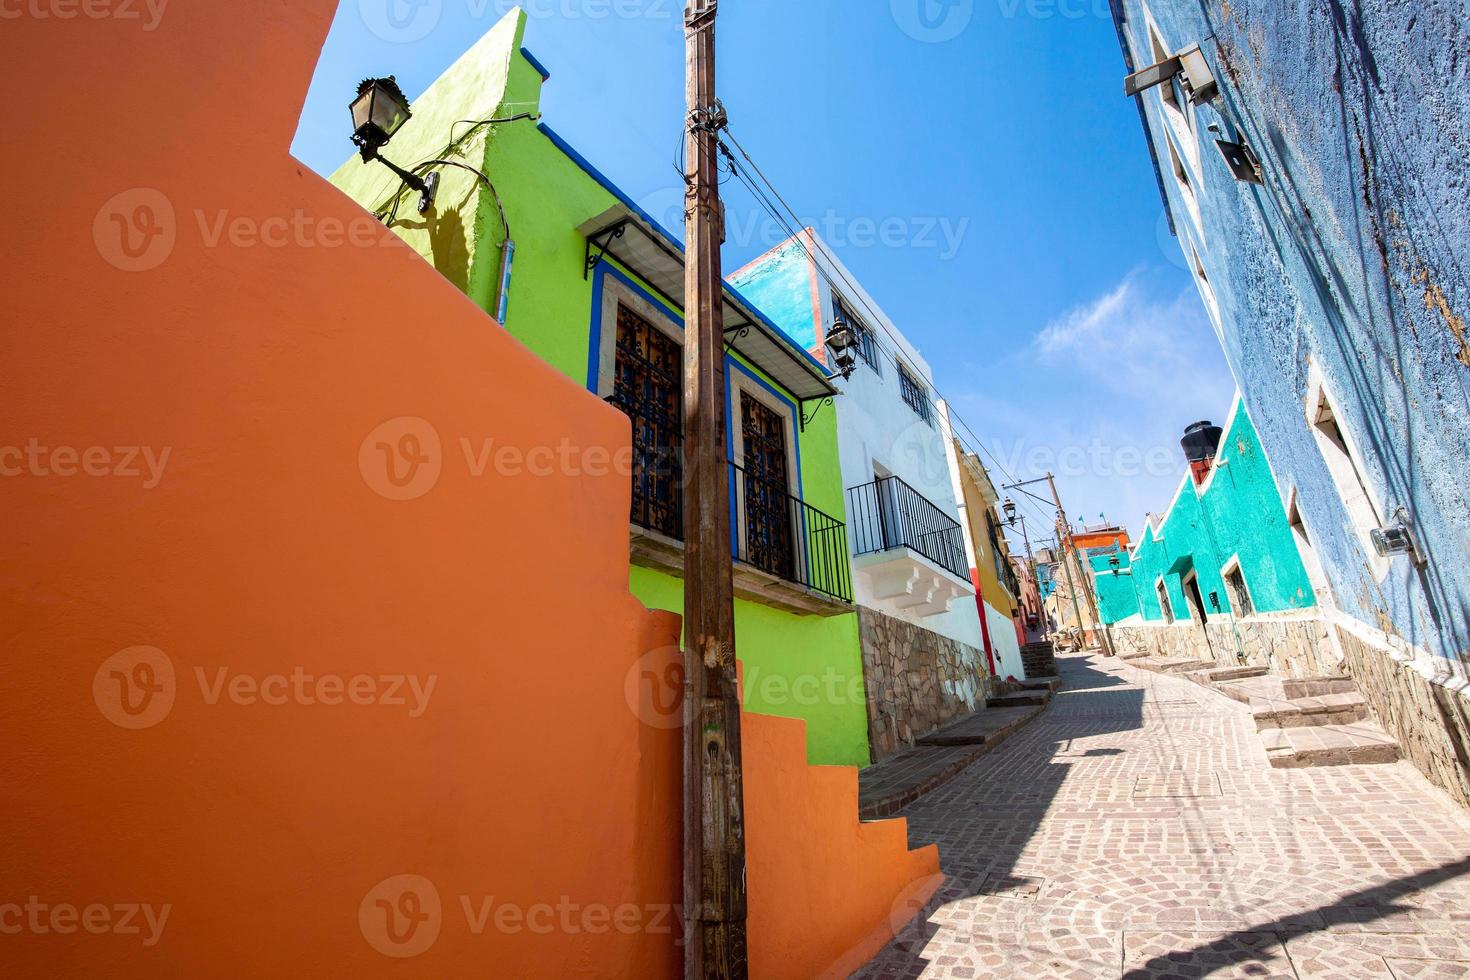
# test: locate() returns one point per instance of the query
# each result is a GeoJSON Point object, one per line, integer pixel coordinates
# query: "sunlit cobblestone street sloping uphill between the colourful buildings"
{"type": "Point", "coordinates": [1139, 831]}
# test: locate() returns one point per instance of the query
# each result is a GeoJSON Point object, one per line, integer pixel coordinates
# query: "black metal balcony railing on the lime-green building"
{"type": "Point", "coordinates": [771, 530]}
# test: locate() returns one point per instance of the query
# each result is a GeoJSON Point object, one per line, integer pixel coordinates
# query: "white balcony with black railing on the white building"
{"type": "Point", "coordinates": [909, 553]}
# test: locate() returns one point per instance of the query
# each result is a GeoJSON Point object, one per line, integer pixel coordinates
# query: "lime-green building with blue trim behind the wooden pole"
{"type": "Point", "coordinates": [595, 286]}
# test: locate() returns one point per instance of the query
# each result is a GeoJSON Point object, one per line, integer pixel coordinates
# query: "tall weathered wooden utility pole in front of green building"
{"type": "Point", "coordinates": [714, 794]}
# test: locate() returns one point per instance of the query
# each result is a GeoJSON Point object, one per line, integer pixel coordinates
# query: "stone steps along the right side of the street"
{"type": "Point", "coordinates": [1302, 721]}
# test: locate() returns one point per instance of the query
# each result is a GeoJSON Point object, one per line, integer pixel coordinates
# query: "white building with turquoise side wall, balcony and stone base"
{"type": "Point", "coordinates": [921, 634]}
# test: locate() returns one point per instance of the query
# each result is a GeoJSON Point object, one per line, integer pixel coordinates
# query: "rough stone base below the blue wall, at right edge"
{"type": "Point", "coordinates": [1433, 724]}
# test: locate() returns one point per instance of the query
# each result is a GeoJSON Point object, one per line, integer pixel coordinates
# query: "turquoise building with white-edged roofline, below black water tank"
{"type": "Point", "coordinates": [1222, 552]}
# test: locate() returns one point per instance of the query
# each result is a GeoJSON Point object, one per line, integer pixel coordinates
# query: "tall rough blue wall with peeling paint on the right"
{"type": "Point", "coordinates": [1350, 261]}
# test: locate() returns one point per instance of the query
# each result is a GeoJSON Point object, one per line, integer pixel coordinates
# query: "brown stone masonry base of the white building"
{"type": "Point", "coordinates": [918, 681]}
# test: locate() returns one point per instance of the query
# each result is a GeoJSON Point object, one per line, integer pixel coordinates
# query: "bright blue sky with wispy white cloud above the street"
{"type": "Point", "coordinates": [974, 162]}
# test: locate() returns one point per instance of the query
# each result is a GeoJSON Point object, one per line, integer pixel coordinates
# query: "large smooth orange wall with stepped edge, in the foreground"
{"type": "Point", "coordinates": [267, 364]}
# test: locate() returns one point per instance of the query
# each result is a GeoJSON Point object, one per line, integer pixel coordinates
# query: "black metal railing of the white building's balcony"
{"type": "Point", "coordinates": [889, 515]}
